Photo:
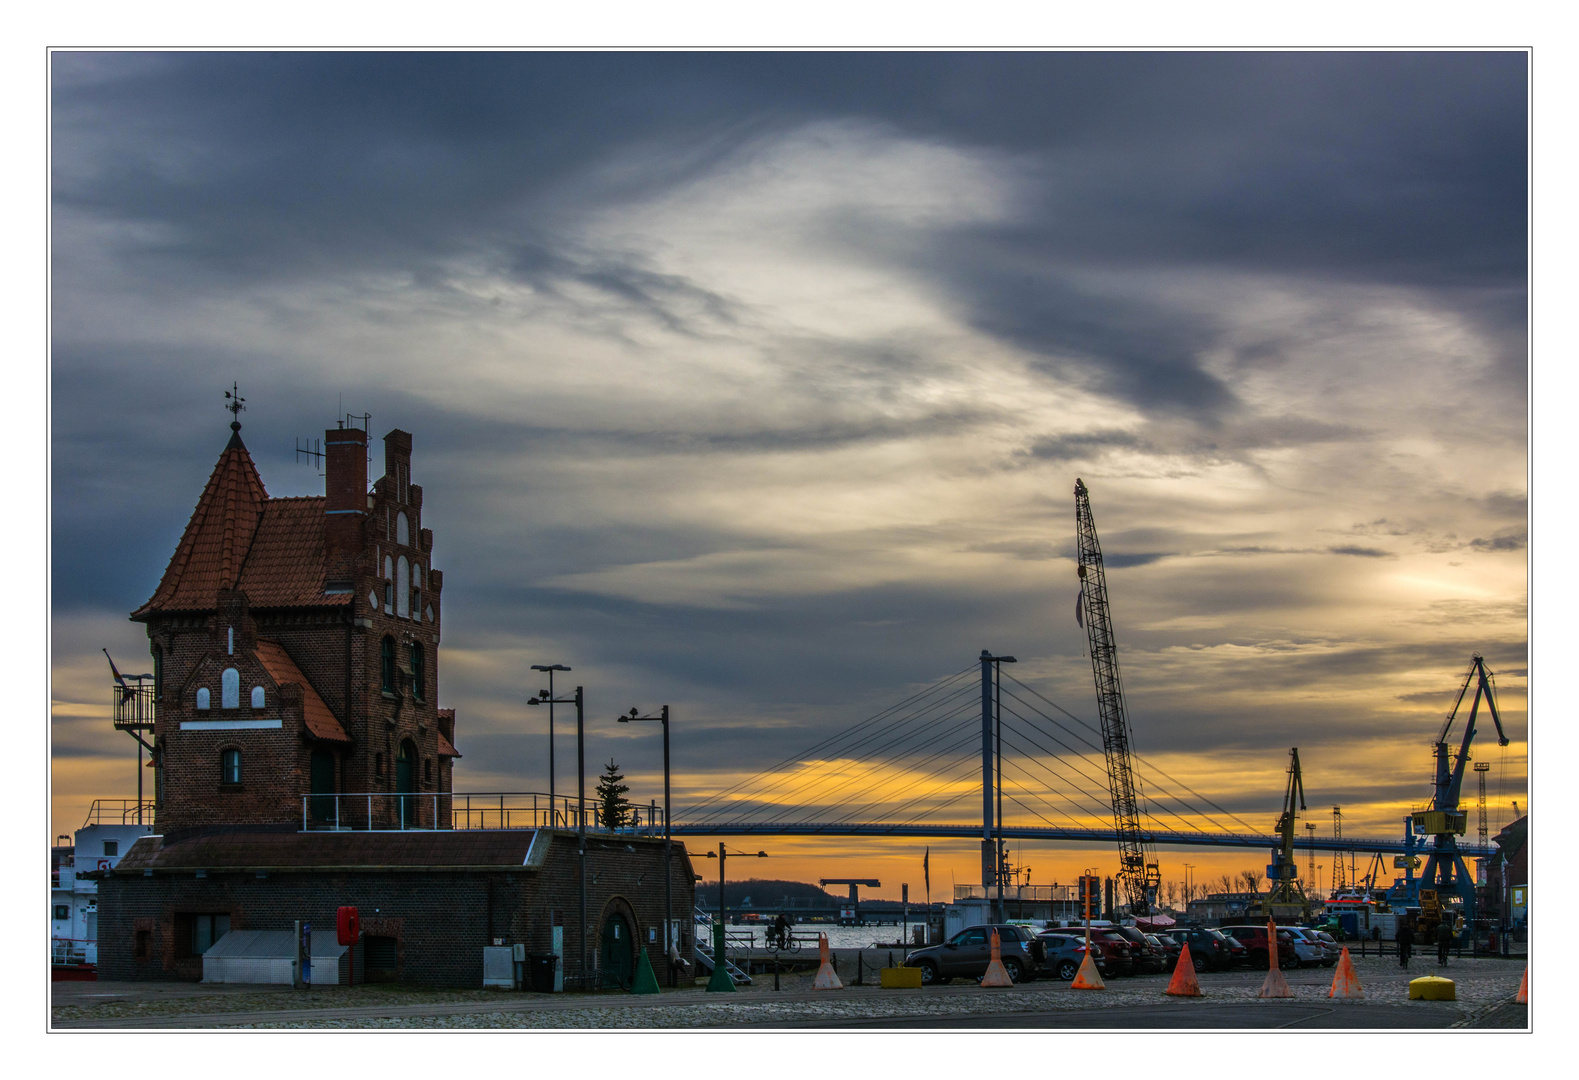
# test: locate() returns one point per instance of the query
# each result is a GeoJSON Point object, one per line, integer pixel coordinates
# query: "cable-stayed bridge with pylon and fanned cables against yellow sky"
{"type": "Point", "coordinates": [1037, 770]}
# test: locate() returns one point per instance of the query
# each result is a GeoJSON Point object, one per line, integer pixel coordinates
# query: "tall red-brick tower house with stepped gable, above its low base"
{"type": "Point", "coordinates": [296, 651]}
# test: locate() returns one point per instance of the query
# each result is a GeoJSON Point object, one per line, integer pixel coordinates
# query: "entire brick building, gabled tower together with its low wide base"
{"type": "Point", "coordinates": [302, 762]}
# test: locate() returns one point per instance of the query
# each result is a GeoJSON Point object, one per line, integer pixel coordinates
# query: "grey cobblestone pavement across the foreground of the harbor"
{"type": "Point", "coordinates": [1483, 989]}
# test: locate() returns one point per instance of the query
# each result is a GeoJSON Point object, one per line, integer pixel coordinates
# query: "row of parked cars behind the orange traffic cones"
{"type": "Point", "coordinates": [1119, 951]}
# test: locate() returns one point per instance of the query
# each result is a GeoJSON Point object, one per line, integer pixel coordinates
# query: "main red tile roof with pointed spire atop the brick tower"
{"type": "Point", "coordinates": [242, 539]}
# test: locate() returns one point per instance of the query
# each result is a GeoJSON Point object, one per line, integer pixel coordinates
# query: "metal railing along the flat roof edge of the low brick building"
{"type": "Point", "coordinates": [426, 811]}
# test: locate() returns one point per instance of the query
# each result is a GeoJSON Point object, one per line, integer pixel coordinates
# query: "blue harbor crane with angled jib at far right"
{"type": "Point", "coordinates": [1446, 872]}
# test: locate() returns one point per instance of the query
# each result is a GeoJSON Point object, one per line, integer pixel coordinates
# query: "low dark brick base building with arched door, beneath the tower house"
{"type": "Point", "coordinates": [429, 902]}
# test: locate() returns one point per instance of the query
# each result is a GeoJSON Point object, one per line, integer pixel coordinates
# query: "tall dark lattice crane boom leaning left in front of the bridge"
{"type": "Point", "coordinates": [1138, 871]}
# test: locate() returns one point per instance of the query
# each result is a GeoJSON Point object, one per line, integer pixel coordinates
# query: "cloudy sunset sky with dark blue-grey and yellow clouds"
{"type": "Point", "coordinates": [759, 384]}
